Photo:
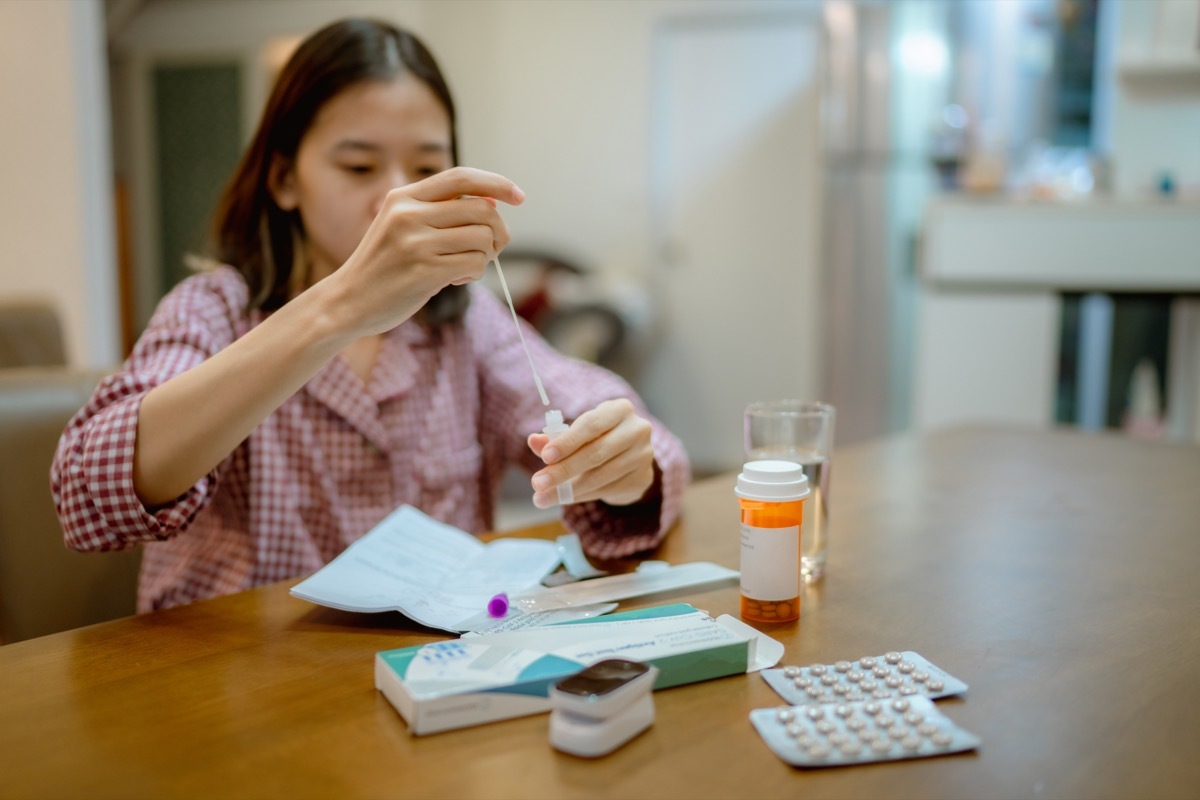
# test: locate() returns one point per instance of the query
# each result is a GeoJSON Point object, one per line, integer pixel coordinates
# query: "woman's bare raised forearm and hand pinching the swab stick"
{"type": "Point", "coordinates": [427, 236]}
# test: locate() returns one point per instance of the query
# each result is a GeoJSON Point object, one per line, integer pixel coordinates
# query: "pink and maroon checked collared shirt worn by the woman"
{"type": "Point", "coordinates": [442, 418]}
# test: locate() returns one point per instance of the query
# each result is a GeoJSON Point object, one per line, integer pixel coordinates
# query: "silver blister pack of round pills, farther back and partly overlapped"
{"type": "Point", "coordinates": [871, 678]}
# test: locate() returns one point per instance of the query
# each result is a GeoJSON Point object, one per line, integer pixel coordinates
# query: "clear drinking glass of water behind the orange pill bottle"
{"type": "Point", "coordinates": [802, 432]}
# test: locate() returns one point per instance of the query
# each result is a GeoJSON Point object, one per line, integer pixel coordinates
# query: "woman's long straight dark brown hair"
{"type": "Point", "coordinates": [253, 233]}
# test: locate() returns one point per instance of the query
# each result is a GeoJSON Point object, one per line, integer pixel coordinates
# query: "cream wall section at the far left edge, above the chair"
{"type": "Point", "coordinates": [57, 214]}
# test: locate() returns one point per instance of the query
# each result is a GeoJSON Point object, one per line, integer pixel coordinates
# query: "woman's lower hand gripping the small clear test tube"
{"type": "Point", "coordinates": [605, 454]}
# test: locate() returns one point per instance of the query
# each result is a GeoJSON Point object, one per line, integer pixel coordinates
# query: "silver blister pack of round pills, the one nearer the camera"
{"type": "Point", "coordinates": [860, 732]}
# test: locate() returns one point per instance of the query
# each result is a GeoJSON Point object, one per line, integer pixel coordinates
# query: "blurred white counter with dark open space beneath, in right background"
{"type": "Point", "coordinates": [989, 312]}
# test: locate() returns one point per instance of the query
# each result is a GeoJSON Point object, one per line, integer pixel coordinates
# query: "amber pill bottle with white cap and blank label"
{"type": "Point", "coordinates": [772, 497]}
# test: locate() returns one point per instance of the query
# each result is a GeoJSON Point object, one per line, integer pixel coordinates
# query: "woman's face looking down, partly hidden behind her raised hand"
{"type": "Point", "coordinates": [369, 140]}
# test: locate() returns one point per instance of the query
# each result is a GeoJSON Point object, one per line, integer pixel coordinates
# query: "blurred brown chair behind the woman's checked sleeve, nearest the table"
{"type": "Point", "coordinates": [45, 587]}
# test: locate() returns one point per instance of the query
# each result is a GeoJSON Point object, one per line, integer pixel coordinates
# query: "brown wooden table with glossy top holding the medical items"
{"type": "Point", "coordinates": [1053, 572]}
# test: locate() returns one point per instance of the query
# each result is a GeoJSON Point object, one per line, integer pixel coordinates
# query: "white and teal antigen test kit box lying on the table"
{"type": "Point", "coordinates": [494, 677]}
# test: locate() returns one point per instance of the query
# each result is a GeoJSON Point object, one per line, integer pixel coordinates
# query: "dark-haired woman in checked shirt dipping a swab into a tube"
{"type": "Point", "coordinates": [334, 364]}
